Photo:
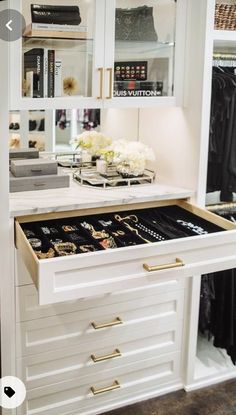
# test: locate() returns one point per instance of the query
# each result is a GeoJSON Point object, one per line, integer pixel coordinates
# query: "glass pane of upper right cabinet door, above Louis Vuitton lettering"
{"type": "Point", "coordinates": [144, 48]}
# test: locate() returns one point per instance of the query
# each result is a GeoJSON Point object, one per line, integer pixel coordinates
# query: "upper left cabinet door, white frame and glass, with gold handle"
{"type": "Point", "coordinates": [62, 51]}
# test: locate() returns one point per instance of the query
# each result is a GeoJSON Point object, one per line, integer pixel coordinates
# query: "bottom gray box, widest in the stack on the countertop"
{"type": "Point", "coordinates": [24, 184]}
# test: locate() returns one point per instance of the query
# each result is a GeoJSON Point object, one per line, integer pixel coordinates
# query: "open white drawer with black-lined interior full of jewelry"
{"type": "Point", "coordinates": [208, 246]}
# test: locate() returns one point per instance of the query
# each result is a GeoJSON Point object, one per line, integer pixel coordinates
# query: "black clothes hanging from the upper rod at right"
{"type": "Point", "coordinates": [222, 139]}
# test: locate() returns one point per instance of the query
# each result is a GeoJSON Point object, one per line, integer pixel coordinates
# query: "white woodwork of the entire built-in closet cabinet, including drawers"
{"type": "Point", "coordinates": [88, 342]}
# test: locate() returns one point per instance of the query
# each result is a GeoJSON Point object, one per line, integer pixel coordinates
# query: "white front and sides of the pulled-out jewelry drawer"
{"type": "Point", "coordinates": [85, 275]}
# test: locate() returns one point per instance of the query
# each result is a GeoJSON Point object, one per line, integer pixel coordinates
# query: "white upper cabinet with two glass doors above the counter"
{"type": "Point", "coordinates": [110, 65]}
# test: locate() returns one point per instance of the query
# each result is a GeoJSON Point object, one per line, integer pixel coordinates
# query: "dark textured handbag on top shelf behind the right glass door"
{"type": "Point", "coordinates": [136, 24]}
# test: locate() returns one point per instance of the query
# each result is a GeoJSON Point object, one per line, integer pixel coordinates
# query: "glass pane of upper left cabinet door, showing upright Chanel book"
{"type": "Point", "coordinates": [58, 57]}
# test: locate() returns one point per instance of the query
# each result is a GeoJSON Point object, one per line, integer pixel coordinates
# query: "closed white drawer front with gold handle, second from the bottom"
{"type": "Point", "coordinates": [64, 364]}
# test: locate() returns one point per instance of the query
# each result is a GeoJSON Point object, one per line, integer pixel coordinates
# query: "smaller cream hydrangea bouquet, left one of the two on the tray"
{"type": "Point", "coordinates": [92, 141]}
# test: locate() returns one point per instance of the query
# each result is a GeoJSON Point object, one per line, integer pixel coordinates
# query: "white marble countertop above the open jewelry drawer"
{"type": "Point", "coordinates": [78, 197]}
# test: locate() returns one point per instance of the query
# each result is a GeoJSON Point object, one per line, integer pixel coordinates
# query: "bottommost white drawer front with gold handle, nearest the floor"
{"type": "Point", "coordinates": [74, 395]}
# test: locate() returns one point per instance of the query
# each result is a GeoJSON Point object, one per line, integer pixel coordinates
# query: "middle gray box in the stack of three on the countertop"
{"type": "Point", "coordinates": [33, 167]}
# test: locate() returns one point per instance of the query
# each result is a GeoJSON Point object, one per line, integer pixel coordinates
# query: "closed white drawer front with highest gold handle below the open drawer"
{"type": "Point", "coordinates": [75, 328]}
